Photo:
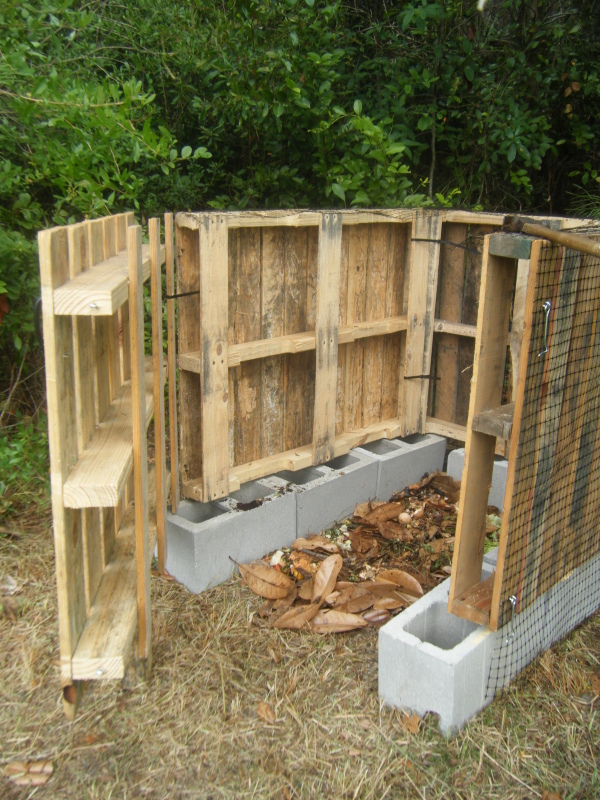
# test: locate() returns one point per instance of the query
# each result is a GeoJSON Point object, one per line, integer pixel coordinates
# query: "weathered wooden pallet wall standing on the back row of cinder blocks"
{"type": "Point", "coordinates": [260, 292]}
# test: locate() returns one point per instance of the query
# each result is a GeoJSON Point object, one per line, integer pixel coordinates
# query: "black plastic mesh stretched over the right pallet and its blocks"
{"type": "Point", "coordinates": [553, 515]}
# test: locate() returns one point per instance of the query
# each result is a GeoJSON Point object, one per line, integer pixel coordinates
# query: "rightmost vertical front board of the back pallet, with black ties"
{"type": "Point", "coordinates": [422, 291]}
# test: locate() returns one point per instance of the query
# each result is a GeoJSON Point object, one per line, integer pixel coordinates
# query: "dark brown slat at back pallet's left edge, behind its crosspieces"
{"type": "Point", "coordinates": [188, 329]}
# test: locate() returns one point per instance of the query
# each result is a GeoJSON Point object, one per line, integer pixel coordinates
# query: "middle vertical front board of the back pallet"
{"type": "Point", "coordinates": [328, 283]}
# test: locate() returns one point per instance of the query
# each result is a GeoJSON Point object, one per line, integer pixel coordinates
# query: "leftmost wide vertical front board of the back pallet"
{"type": "Point", "coordinates": [214, 374]}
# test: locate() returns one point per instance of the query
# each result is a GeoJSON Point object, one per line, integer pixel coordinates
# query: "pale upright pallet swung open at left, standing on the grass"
{"type": "Point", "coordinates": [101, 397]}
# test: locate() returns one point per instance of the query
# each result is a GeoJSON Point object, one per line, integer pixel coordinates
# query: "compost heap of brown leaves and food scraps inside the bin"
{"type": "Point", "coordinates": [366, 569]}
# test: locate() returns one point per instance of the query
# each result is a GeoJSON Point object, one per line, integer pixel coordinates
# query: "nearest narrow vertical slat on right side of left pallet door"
{"type": "Point", "coordinates": [140, 455]}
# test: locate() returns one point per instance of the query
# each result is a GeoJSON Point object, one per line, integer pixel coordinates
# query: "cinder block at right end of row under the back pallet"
{"type": "Point", "coordinates": [402, 462]}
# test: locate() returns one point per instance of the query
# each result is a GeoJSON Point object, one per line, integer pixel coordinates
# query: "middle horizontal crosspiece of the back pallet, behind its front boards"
{"type": "Point", "coordinates": [296, 343]}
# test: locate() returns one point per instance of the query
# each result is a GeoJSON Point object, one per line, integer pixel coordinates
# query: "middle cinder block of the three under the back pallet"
{"type": "Point", "coordinates": [329, 493]}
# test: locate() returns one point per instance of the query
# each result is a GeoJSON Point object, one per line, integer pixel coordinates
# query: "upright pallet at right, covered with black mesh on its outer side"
{"type": "Point", "coordinates": [552, 501]}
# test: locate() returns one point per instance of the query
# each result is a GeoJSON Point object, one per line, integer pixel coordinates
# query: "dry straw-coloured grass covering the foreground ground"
{"type": "Point", "coordinates": [193, 731]}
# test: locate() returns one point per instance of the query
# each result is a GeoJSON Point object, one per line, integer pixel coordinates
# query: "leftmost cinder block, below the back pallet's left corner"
{"type": "Point", "coordinates": [202, 537]}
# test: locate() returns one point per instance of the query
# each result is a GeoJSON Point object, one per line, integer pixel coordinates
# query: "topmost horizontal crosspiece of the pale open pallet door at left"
{"type": "Point", "coordinates": [102, 289]}
